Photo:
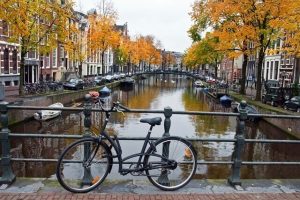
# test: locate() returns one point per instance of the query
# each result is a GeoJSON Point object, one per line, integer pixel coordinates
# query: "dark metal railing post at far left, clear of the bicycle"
{"type": "Point", "coordinates": [8, 176]}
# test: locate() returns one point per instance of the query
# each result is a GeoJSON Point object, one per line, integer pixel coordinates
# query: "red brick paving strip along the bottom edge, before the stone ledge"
{"type": "Point", "coordinates": [68, 196]}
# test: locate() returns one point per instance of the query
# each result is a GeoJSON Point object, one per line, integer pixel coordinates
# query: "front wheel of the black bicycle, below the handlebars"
{"type": "Point", "coordinates": [83, 165]}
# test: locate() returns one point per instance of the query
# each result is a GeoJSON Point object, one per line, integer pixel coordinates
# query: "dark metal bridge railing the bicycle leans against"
{"type": "Point", "coordinates": [236, 159]}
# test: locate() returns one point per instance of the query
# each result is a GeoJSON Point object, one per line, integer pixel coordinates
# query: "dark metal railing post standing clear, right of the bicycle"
{"type": "Point", "coordinates": [234, 179]}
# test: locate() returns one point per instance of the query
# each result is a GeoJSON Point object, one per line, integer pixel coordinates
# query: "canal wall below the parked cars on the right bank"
{"type": "Point", "coordinates": [289, 126]}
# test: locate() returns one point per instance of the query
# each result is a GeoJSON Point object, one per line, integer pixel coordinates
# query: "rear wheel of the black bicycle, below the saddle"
{"type": "Point", "coordinates": [182, 152]}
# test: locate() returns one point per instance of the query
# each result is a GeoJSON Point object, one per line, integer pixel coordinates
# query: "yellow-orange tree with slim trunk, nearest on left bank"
{"type": "Point", "coordinates": [35, 25]}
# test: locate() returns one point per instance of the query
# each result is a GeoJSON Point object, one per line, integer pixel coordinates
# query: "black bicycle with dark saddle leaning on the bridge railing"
{"type": "Point", "coordinates": [169, 162]}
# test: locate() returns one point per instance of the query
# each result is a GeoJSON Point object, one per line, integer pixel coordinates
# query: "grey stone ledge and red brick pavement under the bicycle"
{"type": "Point", "coordinates": [45, 189]}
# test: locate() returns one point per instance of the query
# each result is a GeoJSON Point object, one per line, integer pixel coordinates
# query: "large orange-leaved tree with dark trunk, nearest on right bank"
{"type": "Point", "coordinates": [246, 20]}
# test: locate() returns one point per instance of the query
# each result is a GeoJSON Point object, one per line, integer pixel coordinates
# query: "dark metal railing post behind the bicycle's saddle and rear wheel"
{"type": "Point", "coordinates": [163, 178]}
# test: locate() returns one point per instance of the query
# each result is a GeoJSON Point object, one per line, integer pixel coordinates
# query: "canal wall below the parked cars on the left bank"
{"type": "Point", "coordinates": [65, 97]}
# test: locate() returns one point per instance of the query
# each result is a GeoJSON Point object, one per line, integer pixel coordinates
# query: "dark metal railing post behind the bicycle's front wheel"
{"type": "Point", "coordinates": [87, 177]}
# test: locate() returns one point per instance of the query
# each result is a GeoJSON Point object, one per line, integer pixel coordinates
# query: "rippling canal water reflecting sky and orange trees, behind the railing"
{"type": "Point", "coordinates": [158, 92]}
